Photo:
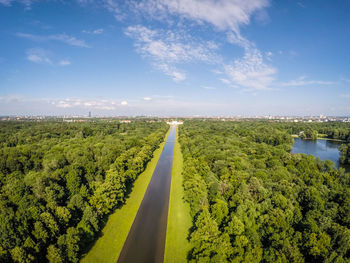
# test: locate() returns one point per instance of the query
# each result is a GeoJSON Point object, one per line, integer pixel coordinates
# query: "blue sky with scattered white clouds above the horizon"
{"type": "Point", "coordinates": [175, 57]}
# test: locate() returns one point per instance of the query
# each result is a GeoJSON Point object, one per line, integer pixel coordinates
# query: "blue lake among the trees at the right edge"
{"type": "Point", "coordinates": [323, 149]}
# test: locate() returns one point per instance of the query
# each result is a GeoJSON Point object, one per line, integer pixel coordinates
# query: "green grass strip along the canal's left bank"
{"type": "Point", "coordinates": [108, 247]}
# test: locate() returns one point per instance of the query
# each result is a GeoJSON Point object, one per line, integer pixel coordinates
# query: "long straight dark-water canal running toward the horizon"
{"type": "Point", "coordinates": [146, 238]}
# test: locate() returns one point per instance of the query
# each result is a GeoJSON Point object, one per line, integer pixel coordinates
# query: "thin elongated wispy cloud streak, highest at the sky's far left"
{"type": "Point", "coordinates": [64, 38]}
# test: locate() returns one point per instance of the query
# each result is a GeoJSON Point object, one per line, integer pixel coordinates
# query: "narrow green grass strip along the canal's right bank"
{"type": "Point", "coordinates": [179, 219]}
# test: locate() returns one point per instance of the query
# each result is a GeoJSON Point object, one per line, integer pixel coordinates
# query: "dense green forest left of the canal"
{"type": "Point", "coordinates": [58, 181]}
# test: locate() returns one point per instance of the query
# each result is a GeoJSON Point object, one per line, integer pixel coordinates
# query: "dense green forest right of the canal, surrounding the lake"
{"type": "Point", "coordinates": [253, 201]}
